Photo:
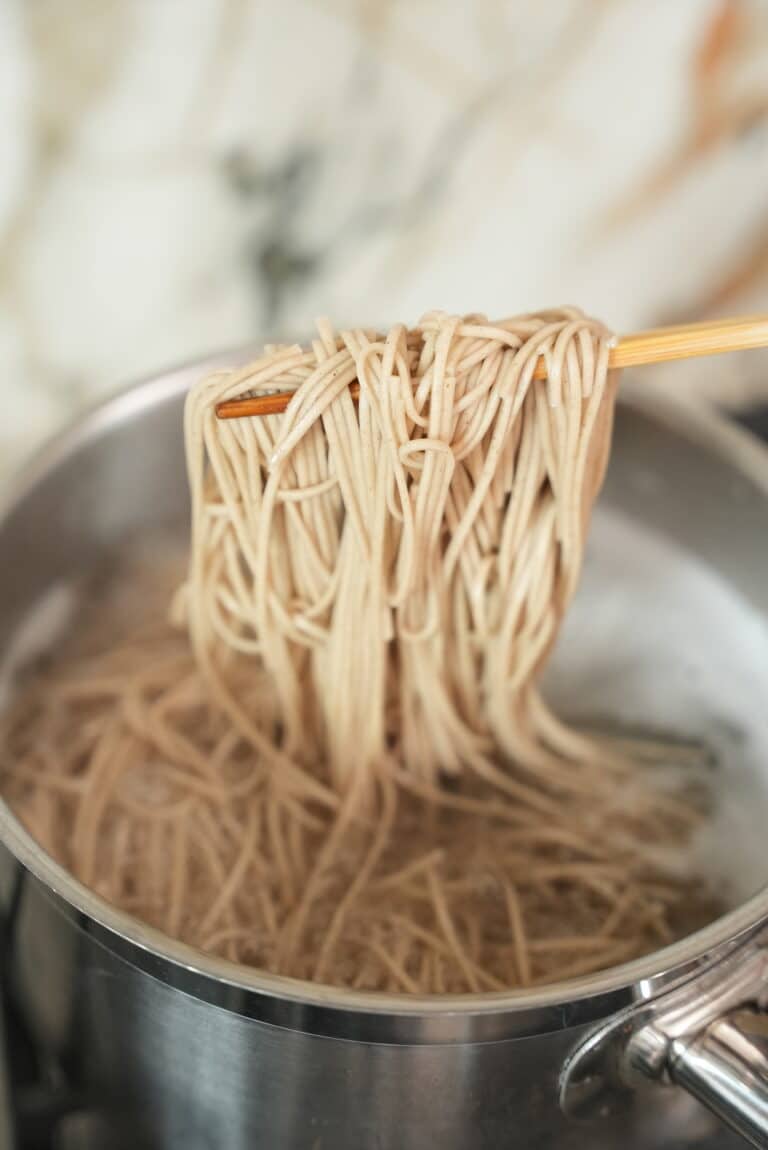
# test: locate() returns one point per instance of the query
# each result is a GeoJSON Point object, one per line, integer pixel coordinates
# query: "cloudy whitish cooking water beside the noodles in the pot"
{"type": "Point", "coordinates": [656, 643]}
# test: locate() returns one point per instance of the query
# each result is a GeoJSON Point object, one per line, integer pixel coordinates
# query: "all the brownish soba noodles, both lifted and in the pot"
{"type": "Point", "coordinates": [334, 762]}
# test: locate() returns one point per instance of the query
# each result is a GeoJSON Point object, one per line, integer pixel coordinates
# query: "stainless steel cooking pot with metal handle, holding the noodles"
{"type": "Point", "coordinates": [172, 1048]}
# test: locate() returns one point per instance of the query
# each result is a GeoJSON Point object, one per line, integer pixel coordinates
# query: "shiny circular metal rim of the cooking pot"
{"type": "Point", "coordinates": [334, 1011]}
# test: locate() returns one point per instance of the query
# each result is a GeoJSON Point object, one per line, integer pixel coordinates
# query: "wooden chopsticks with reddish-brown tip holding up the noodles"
{"type": "Point", "coordinates": [658, 346]}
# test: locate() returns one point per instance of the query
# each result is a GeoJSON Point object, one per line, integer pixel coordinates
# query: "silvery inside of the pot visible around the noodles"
{"type": "Point", "coordinates": [669, 634]}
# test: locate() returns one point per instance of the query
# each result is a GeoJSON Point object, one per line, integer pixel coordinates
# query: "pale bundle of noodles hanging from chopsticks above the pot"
{"type": "Point", "coordinates": [401, 570]}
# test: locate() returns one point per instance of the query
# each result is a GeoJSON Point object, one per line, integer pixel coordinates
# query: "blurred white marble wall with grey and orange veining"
{"type": "Point", "coordinates": [180, 177]}
